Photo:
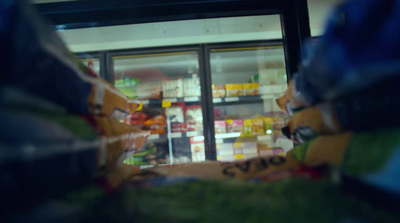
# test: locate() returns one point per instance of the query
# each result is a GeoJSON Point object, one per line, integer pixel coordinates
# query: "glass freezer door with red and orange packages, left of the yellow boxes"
{"type": "Point", "coordinates": [170, 85]}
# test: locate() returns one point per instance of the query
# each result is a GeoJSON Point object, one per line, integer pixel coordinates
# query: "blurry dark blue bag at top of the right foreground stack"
{"type": "Point", "coordinates": [360, 47]}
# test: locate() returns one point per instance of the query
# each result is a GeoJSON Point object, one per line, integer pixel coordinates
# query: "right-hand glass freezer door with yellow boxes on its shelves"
{"type": "Point", "coordinates": [245, 84]}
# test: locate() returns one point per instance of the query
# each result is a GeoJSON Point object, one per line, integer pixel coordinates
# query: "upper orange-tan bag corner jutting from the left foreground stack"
{"type": "Point", "coordinates": [106, 100]}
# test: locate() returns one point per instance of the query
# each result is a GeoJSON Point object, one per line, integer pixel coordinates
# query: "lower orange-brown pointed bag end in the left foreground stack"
{"type": "Point", "coordinates": [118, 141]}
